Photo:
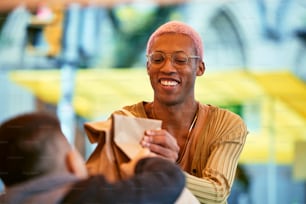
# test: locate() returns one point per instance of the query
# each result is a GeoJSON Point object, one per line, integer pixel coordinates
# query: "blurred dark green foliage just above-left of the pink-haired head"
{"type": "Point", "coordinates": [132, 30]}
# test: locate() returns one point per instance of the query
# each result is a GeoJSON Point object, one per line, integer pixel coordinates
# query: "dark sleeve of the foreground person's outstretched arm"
{"type": "Point", "coordinates": [156, 180]}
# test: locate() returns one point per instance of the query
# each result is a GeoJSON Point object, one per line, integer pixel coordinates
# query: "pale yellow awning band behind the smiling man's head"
{"type": "Point", "coordinates": [100, 91]}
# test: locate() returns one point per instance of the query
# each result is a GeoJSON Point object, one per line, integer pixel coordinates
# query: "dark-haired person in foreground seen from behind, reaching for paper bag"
{"type": "Point", "coordinates": [38, 165]}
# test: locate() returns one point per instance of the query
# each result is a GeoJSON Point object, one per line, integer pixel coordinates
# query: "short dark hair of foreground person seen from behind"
{"type": "Point", "coordinates": [30, 145]}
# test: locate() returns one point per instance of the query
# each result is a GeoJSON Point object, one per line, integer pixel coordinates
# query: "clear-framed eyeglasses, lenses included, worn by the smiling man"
{"type": "Point", "coordinates": [178, 59]}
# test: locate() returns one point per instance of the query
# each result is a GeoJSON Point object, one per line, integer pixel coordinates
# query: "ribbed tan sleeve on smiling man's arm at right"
{"type": "Point", "coordinates": [219, 172]}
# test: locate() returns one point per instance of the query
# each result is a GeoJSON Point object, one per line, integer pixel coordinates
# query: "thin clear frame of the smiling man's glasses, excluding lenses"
{"type": "Point", "coordinates": [171, 58]}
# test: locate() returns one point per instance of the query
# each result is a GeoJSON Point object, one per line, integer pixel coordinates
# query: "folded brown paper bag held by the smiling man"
{"type": "Point", "coordinates": [118, 142]}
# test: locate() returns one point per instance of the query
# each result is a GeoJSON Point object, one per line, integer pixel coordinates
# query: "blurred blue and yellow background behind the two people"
{"type": "Point", "coordinates": [80, 60]}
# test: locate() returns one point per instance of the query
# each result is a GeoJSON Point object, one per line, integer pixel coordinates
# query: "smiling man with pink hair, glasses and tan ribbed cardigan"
{"type": "Point", "coordinates": [204, 140]}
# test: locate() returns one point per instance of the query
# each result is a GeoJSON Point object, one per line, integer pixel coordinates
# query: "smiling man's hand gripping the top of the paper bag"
{"type": "Point", "coordinates": [162, 143]}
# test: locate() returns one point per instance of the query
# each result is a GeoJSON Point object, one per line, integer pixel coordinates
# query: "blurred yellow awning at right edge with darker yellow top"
{"type": "Point", "coordinates": [283, 119]}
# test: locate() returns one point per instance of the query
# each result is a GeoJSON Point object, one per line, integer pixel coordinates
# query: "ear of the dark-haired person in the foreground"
{"type": "Point", "coordinates": [76, 164]}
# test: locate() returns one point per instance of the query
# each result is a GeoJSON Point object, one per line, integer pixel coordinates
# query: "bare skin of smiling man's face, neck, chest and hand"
{"type": "Point", "coordinates": [168, 99]}
